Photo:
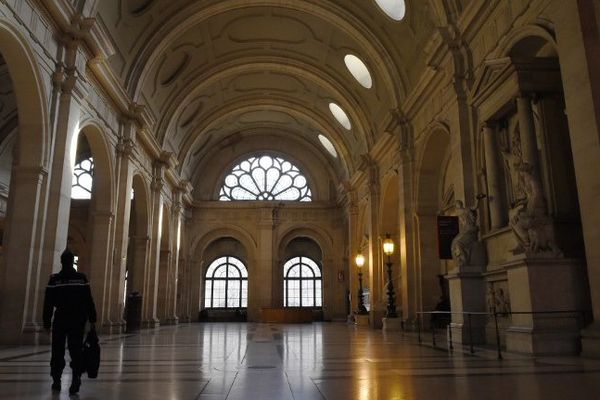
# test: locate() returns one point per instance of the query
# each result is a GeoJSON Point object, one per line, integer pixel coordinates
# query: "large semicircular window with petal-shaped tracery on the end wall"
{"type": "Point", "coordinates": [265, 178]}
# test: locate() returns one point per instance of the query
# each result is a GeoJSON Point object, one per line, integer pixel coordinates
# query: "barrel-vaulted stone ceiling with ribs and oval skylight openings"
{"type": "Point", "coordinates": [213, 70]}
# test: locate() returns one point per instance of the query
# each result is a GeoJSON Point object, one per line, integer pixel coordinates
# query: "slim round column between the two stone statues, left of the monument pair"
{"type": "Point", "coordinates": [492, 172]}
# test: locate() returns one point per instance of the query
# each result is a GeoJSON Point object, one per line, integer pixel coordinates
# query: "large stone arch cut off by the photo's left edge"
{"type": "Point", "coordinates": [20, 280]}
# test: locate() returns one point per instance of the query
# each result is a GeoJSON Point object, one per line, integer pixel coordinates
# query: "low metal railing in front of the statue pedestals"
{"type": "Point", "coordinates": [580, 315]}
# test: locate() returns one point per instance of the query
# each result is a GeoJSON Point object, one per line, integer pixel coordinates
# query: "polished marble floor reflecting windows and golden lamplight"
{"type": "Point", "coordinates": [299, 362]}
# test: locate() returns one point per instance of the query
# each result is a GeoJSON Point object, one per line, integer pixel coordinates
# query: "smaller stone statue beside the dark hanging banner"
{"type": "Point", "coordinates": [462, 244]}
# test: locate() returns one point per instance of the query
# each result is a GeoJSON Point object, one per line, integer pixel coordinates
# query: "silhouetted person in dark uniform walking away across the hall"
{"type": "Point", "coordinates": [69, 298]}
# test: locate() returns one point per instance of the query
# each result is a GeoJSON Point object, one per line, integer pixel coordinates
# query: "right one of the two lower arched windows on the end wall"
{"type": "Point", "coordinates": [301, 283]}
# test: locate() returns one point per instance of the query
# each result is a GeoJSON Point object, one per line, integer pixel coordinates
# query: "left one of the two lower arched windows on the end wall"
{"type": "Point", "coordinates": [226, 284]}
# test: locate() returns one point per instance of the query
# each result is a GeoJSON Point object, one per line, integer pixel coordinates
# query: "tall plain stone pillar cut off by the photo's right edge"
{"type": "Point", "coordinates": [577, 39]}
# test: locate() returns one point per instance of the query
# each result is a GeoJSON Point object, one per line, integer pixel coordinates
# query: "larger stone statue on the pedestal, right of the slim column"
{"type": "Point", "coordinates": [528, 219]}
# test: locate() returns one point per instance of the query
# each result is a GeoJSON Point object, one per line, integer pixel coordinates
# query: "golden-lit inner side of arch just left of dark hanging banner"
{"type": "Point", "coordinates": [428, 204]}
